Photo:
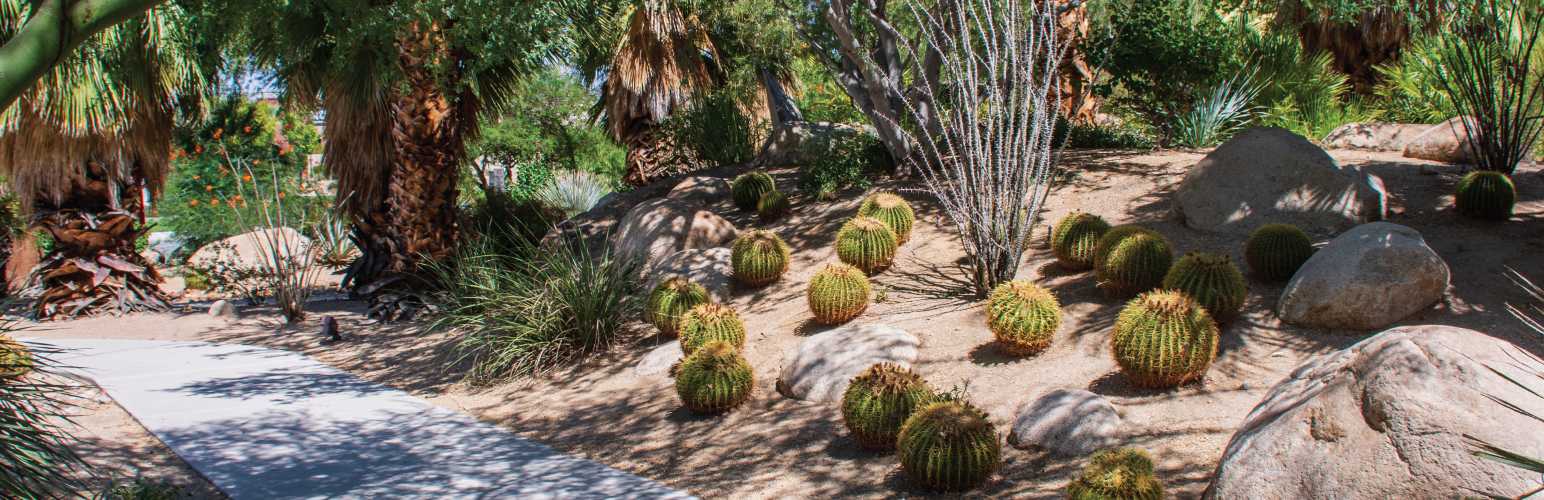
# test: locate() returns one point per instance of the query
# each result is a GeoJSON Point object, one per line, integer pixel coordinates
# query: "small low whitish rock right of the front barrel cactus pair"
{"type": "Point", "coordinates": [1068, 422]}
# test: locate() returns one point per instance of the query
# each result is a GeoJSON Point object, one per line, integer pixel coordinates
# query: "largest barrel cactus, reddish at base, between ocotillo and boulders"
{"type": "Point", "coordinates": [1163, 340]}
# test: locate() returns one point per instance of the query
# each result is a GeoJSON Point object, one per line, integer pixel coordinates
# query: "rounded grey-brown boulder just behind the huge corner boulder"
{"type": "Point", "coordinates": [1366, 280]}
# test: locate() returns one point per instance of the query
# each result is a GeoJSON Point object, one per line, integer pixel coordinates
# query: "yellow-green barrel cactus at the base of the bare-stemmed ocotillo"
{"type": "Point", "coordinates": [1023, 317]}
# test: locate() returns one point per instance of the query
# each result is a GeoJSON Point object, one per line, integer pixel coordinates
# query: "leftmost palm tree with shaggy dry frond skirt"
{"type": "Point", "coordinates": [81, 147]}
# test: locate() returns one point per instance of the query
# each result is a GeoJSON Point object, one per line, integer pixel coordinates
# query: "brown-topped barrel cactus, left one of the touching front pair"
{"type": "Point", "coordinates": [878, 404]}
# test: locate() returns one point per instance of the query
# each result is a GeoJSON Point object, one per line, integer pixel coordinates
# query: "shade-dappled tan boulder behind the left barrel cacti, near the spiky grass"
{"type": "Point", "coordinates": [660, 228]}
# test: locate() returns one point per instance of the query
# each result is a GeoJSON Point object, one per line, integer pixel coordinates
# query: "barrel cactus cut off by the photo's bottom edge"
{"type": "Point", "coordinates": [1117, 475]}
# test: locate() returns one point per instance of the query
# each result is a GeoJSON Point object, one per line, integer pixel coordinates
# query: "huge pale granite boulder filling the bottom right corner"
{"type": "Point", "coordinates": [1386, 419]}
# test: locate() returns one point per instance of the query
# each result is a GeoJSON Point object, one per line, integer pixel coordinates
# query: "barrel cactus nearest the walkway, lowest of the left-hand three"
{"type": "Point", "coordinates": [714, 380]}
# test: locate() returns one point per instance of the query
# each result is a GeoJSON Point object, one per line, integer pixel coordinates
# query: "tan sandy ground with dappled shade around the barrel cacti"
{"type": "Point", "coordinates": [784, 448]}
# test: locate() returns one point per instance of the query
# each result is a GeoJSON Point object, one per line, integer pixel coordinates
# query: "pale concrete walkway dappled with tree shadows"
{"type": "Point", "coordinates": [266, 424]}
